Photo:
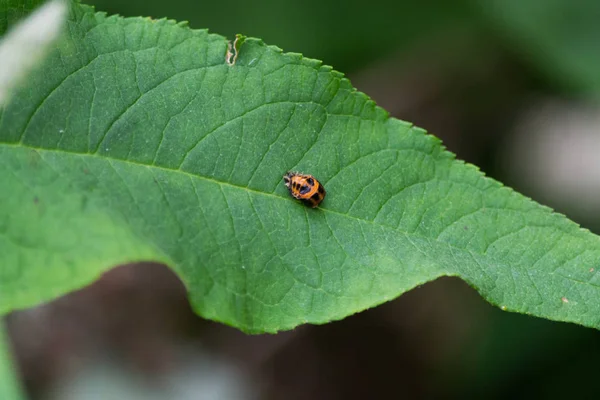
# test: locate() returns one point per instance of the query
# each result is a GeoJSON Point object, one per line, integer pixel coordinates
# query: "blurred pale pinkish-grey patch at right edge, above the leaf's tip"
{"type": "Point", "coordinates": [556, 150]}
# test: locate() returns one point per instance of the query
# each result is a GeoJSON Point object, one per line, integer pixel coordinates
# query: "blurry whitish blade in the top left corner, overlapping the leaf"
{"type": "Point", "coordinates": [28, 42]}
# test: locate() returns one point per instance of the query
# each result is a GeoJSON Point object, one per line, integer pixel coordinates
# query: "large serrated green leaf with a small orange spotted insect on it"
{"type": "Point", "coordinates": [140, 142]}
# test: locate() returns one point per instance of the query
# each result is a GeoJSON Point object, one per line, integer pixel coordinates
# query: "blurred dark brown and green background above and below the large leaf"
{"type": "Point", "coordinates": [509, 85]}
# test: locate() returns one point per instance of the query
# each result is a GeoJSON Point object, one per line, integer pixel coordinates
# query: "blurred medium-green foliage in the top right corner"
{"type": "Point", "coordinates": [558, 38]}
